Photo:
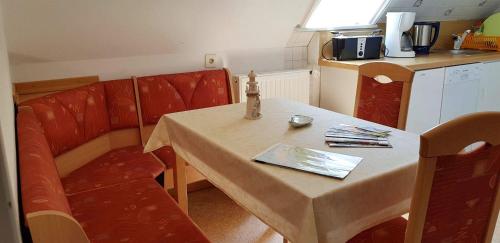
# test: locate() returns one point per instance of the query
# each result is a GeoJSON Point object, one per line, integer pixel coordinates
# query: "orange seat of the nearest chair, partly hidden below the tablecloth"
{"type": "Point", "coordinates": [392, 231]}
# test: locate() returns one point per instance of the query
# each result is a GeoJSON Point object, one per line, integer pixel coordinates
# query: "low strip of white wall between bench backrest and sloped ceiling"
{"type": "Point", "coordinates": [239, 61]}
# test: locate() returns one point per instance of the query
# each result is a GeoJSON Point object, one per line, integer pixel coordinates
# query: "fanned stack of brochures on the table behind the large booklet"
{"type": "Point", "coordinates": [357, 137]}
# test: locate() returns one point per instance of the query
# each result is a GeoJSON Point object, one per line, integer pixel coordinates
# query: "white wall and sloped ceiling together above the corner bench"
{"type": "Point", "coordinates": [119, 38]}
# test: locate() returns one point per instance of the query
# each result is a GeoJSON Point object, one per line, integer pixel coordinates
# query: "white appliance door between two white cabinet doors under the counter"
{"type": "Point", "coordinates": [461, 91]}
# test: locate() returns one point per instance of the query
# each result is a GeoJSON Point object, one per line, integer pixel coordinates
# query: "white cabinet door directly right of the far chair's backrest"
{"type": "Point", "coordinates": [424, 110]}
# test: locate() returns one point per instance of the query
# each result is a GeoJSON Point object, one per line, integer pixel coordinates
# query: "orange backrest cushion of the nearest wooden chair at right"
{"type": "Point", "coordinates": [463, 192]}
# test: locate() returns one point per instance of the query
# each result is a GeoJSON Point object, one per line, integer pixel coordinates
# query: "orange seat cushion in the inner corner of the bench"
{"type": "Point", "coordinates": [116, 166]}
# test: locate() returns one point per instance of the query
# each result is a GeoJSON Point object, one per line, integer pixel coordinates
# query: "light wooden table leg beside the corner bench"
{"type": "Point", "coordinates": [180, 183]}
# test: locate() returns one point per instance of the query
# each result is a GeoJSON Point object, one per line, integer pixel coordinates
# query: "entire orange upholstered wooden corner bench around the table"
{"type": "Point", "coordinates": [83, 172]}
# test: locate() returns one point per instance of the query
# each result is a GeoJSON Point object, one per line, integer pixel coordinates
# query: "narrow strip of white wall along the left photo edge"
{"type": "Point", "coordinates": [9, 220]}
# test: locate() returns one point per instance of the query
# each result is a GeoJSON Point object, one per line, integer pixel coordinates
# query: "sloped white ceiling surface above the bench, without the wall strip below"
{"type": "Point", "coordinates": [60, 30]}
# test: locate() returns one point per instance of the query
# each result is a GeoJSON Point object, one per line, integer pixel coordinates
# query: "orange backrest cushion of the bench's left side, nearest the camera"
{"type": "Point", "coordinates": [41, 187]}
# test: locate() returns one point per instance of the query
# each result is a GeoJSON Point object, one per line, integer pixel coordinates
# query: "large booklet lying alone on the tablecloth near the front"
{"type": "Point", "coordinates": [310, 160]}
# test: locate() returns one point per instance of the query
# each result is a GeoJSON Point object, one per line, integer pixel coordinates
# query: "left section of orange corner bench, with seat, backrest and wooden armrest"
{"type": "Point", "coordinates": [134, 211]}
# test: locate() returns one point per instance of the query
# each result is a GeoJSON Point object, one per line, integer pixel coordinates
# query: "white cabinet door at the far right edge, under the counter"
{"type": "Point", "coordinates": [489, 92]}
